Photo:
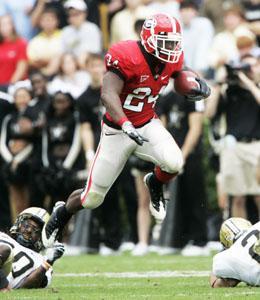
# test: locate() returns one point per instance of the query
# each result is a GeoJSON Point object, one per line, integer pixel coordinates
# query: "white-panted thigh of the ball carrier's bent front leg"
{"type": "Point", "coordinates": [161, 149]}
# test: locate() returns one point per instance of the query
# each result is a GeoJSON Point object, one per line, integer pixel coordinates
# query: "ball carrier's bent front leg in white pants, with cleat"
{"type": "Point", "coordinates": [163, 151]}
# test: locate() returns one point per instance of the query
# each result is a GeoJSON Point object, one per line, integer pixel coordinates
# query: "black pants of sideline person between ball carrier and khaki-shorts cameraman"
{"type": "Point", "coordinates": [190, 205]}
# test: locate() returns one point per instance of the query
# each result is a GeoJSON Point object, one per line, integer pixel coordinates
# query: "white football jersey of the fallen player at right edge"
{"type": "Point", "coordinates": [240, 261]}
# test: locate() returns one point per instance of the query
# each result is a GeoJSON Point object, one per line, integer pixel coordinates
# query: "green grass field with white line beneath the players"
{"type": "Point", "coordinates": [152, 277]}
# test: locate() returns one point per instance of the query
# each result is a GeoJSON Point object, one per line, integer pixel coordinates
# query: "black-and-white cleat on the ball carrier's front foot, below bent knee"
{"type": "Point", "coordinates": [158, 203]}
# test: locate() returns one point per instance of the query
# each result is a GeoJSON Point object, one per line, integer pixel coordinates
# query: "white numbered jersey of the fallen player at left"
{"type": "Point", "coordinates": [25, 261]}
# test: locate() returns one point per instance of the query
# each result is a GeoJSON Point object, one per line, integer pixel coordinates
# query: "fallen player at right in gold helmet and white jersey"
{"type": "Point", "coordinates": [240, 261]}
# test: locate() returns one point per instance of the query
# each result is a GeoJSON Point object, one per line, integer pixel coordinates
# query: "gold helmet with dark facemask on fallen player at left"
{"type": "Point", "coordinates": [26, 233]}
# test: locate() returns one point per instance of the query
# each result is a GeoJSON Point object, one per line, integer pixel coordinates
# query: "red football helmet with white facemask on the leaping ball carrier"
{"type": "Point", "coordinates": [161, 36]}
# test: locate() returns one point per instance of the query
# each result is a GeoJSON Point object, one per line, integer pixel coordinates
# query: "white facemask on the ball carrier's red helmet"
{"type": "Point", "coordinates": [167, 46]}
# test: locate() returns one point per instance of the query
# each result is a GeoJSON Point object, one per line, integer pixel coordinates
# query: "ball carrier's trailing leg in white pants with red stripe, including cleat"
{"type": "Point", "coordinates": [110, 158]}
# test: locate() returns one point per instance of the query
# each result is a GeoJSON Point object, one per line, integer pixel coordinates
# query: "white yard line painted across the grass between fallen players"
{"type": "Point", "coordinates": [149, 274]}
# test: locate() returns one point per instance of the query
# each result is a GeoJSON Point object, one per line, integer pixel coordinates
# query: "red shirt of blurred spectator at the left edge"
{"type": "Point", "coordinates": [11, 52]}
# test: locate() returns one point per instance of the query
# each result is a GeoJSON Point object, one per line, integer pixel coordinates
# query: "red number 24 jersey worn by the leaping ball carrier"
{"type": "Point", "coordinates": [142, 84]}
